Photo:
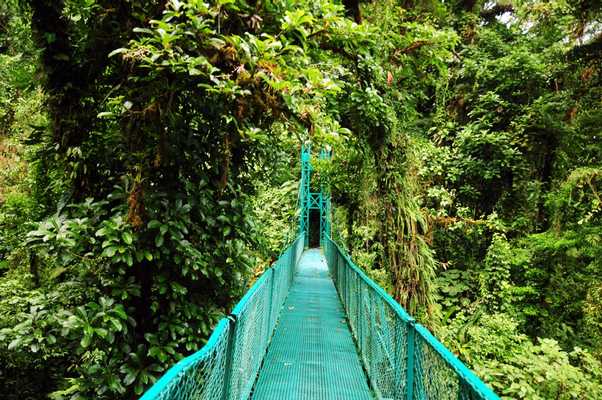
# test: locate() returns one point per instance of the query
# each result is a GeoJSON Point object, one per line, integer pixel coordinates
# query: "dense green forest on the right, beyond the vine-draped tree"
{"type": "Point", "coordinates": [511, 176]}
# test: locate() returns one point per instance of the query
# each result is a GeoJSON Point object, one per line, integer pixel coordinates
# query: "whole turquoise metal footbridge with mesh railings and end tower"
{"type": "Point", "coordinates": [314, 326]}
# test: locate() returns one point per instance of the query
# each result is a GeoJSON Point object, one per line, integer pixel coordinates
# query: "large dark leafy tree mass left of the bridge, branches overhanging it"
{"type": "Point", "coordinates": [152, 164]}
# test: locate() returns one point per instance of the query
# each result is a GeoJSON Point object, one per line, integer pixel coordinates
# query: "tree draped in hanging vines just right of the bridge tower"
{"type": "Point", "coordinates": [394, 75]}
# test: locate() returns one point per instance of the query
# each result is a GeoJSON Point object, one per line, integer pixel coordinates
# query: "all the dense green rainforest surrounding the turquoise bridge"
{"type": "Point", "coordinates": [149, 170]}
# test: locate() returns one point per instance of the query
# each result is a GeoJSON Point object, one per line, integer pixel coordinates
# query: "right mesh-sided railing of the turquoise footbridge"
{"type": "Point", "coordinates": [402, 358]}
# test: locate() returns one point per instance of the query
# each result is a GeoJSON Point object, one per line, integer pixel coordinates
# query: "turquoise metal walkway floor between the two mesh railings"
{"type": "Point", "coordinates": [312, 354]}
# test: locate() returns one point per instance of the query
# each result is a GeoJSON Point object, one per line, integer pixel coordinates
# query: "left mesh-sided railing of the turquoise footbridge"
{"type": "Point", "coordinates": [226, 367]}
